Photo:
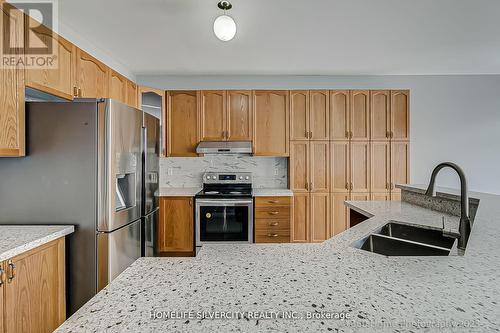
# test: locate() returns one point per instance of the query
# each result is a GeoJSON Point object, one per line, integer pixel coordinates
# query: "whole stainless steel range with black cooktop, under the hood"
{"type": "Point", "coordinates": [224, 209]}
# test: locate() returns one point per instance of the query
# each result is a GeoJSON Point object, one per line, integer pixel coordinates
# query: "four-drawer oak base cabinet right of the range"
{"type": "Point", "coordinates": [272, 220]}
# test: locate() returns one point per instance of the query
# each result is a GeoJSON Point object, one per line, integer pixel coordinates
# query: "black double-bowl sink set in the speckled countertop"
{"type": "Point", "coordinates": [399, 239]}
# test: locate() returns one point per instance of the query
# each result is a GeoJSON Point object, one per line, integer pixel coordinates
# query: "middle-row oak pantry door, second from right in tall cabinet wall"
{"type": "Point", "coordinates": [380, 166]}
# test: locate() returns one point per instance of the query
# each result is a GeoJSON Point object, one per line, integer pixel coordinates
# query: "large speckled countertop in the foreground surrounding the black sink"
{"type": "Point", "coordinates": [373, 292]}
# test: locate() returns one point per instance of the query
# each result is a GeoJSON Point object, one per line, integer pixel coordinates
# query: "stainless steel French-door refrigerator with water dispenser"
{"type": "Point", "coordinates": [83, 167]}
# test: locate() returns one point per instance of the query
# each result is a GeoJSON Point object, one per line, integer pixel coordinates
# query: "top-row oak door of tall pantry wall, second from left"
{"type": "Point", "coordinates": [319, 115]}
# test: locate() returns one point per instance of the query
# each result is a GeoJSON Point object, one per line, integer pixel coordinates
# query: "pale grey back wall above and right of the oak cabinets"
{"type": "Point", "coordinates": [453, 118]}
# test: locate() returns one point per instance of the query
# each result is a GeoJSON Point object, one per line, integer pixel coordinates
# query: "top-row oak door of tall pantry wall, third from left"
{"type": "Point", "coordinates": [339, 114]}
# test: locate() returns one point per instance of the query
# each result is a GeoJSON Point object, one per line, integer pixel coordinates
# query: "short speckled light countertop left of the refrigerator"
{"type": "Point", "coordinates": [17, 239]}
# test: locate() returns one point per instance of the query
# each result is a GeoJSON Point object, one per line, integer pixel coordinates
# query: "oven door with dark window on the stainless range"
{"type": "Point", "coordinates": [224, 220]}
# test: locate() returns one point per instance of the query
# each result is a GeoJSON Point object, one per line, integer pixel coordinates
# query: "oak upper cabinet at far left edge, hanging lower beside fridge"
{"type": "Point", "coordinates": [12, 137]}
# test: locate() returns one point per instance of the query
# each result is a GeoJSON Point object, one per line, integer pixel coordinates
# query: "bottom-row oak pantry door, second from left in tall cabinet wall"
{"type": "Point", "coordinates": [320, 217]}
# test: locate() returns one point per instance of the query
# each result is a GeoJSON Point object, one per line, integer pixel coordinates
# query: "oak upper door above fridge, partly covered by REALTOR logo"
{"type": "Point", "coordinates": [57, 80]}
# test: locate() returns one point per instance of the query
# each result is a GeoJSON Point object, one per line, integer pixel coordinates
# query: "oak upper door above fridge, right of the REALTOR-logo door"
{"type": "Point", "coordinates": [92, 78]}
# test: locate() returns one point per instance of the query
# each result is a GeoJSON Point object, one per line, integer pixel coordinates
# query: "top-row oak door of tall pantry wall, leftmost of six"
{"type": "Point", "coordinates": [299, 115]}
